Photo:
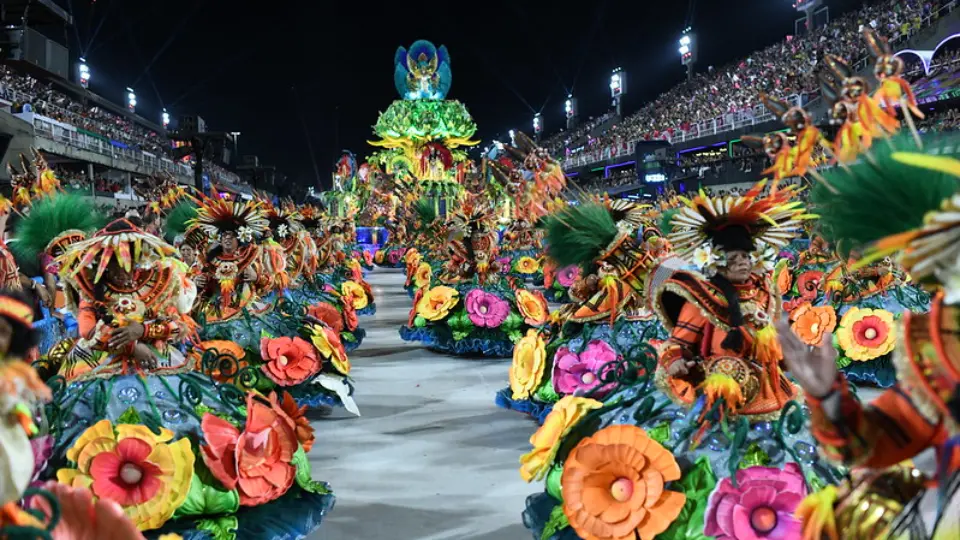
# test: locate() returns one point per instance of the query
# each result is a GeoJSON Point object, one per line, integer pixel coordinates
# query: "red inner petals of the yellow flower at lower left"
{"type": "Point", "coordinates": [125, 475]}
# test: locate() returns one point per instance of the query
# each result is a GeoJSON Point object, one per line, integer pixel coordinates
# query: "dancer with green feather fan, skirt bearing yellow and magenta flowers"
{"type": "Point", "coordinates": [605, 331]}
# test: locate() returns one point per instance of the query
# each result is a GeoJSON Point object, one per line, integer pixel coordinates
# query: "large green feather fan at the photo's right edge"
{"type": "Point", "coordinates": [878, 195]}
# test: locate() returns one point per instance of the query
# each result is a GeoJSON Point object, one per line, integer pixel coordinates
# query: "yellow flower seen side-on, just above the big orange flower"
{"type": "Point", "coordinates": [566, 413]}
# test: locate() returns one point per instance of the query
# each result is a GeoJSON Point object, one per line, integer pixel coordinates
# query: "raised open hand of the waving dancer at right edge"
{"type": "Point", "coordinates": [815, 368]}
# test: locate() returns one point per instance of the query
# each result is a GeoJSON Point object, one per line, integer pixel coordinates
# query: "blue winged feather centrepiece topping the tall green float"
{"type": "Point", "coordinates": [423, 72]}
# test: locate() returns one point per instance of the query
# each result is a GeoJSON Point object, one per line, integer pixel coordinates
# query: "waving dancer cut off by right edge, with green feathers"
{"type": "Point", "coordinates": [902, 200]}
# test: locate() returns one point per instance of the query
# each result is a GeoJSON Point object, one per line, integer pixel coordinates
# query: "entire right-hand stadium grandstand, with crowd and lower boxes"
{"type": "Point", "coordinates": [690, 136]}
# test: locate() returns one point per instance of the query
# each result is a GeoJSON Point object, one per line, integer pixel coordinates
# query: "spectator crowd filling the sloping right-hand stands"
{"type": "Point", "coordinates": [785, 69]}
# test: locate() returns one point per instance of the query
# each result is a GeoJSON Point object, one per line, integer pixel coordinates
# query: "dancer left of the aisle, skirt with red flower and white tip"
{"type": "Point", "coordinates": [284, 343]}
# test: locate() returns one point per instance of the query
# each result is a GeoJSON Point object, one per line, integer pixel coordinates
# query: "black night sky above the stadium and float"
{"type": "Point", "coordinates": [237, 62]}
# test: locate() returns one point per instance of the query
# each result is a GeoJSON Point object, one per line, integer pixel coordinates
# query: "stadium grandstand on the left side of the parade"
{"type": "Point", "coordinates": [96, 145]}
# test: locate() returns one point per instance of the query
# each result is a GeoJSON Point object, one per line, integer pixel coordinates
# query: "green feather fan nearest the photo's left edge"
{"type": "Point", "coordinates": [50, 217]}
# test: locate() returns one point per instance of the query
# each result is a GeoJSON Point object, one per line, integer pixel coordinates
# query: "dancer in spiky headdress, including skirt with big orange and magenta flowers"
{"type": "Point", "coordinates": [726, 454]}
